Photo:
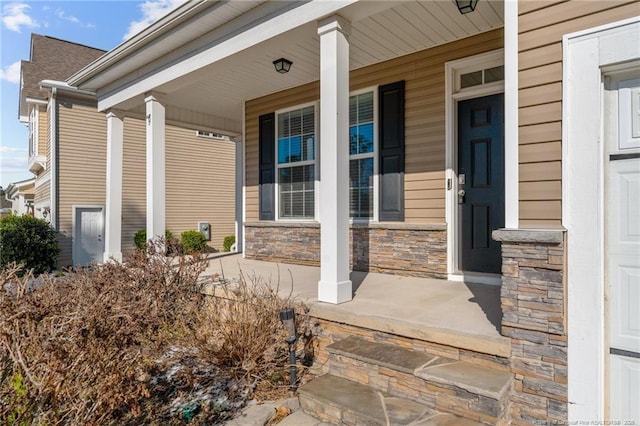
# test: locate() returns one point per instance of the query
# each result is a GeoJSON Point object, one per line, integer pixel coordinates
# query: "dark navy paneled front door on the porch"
{"type": "Point", "coordinates": [480, 182]}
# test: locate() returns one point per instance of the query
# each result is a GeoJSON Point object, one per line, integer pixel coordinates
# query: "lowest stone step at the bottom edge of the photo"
{"type": "Point", "coordinates": [341, 401]}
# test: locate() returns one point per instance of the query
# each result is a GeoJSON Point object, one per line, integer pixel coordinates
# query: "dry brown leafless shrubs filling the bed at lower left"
{"type": "Point", "coordinates": [137, 343]}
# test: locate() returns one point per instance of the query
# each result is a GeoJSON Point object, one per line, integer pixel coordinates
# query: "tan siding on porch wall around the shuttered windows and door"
{"type": "Point", "coordinates": [425, 146]}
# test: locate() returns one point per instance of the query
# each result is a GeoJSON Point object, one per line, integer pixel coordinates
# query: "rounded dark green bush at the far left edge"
{"type": "Point", "coordinates": [29, 241]}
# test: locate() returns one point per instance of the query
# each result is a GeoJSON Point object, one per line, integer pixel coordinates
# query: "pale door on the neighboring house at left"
{"type": "Point", "coordinates": [88, 244]}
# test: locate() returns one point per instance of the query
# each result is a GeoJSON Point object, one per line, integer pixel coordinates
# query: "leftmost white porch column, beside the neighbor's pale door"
{"type": "Point", "coordinates": [113, 201]}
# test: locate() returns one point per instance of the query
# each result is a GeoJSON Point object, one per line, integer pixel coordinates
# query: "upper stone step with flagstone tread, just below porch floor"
{"type": "Point", "coordinates": [472, 391]}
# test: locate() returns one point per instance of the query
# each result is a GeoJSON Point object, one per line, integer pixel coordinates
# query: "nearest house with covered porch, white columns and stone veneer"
{"type": "Point", "coordinates": [408, 138]}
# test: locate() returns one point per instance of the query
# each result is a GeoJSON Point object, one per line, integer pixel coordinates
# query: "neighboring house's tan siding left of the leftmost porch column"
{"type": "Point", "coordinates": [82, 133]}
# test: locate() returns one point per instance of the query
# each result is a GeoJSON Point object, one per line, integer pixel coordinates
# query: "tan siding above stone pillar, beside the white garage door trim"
{"type": "Point", "coordinates": [541, 26]}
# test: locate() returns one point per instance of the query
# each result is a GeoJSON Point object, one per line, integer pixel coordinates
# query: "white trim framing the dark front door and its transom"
{"type": "Point", "coordinates": [452, 70]}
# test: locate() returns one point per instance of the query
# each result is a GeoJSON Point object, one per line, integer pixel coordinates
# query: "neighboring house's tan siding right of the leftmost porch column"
{"type": "Point", "coordinates": [199, 183]}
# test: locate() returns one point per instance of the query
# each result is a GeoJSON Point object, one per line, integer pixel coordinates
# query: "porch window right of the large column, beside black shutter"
{"type": "Point", "coordinates": [361, 155]}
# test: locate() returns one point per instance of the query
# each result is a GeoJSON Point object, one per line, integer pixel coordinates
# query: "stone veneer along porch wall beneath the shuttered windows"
{"type": "Point", "coordinates": [396, 248]}
